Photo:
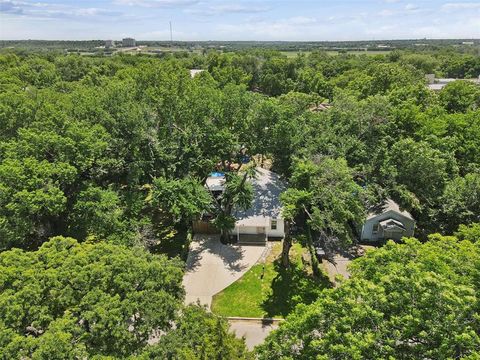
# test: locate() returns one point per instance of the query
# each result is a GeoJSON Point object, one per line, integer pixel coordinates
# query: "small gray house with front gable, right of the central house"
{"type": "Point", "coordinates": [387, 221]}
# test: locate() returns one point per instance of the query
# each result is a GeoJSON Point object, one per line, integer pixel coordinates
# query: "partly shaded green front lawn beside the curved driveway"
{"type": "Point", "coordinates": [276, 293]}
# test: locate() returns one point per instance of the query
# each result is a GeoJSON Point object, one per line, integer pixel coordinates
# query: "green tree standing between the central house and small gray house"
{"type": "Point", "coordinates": [325, 197]}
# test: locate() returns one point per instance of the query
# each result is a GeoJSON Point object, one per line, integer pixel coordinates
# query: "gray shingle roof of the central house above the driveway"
{"type": "Point", "coordinates": [267, 187]}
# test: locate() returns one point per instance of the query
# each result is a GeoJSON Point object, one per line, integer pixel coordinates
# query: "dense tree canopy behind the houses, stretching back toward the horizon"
{"type": "Point", "coordinates": [84, 137]}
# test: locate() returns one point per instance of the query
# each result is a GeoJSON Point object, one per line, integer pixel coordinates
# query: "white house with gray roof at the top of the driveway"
{"type": "Point", "coordinates": [263, 220]}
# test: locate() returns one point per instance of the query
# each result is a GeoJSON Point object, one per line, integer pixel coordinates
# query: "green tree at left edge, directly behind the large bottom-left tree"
{"type": "Point", "coordinates": [32, 198]}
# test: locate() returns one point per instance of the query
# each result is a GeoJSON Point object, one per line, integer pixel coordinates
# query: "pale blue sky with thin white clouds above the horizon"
{"type": "Point", "coordinates": [239, 20]}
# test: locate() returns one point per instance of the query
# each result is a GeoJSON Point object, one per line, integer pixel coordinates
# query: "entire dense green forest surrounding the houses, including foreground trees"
{"type": "Point", "coordinates": [103, 162]}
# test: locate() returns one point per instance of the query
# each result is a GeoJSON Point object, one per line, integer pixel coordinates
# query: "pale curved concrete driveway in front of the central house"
{"type": "Point", "coordinates": [212, 266]}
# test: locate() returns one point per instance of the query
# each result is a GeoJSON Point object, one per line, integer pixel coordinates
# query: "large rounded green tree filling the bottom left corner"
{"type": "Point", "coordinates": [69, 299]}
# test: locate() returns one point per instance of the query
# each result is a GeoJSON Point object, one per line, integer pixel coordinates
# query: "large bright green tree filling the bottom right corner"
{"type": "Point", "coordinates": [403, 301]}
